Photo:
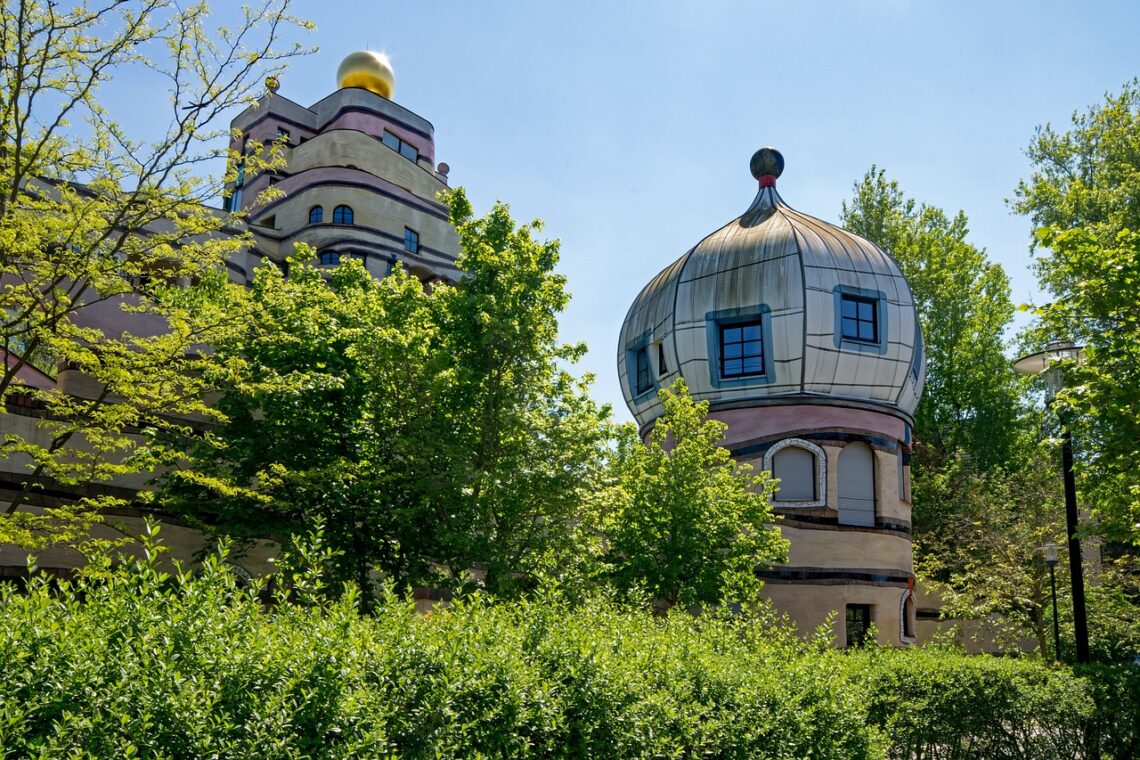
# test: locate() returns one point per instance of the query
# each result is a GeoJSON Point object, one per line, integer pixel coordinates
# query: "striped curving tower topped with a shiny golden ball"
{"type": "Point", "coordinates": [360, 178]}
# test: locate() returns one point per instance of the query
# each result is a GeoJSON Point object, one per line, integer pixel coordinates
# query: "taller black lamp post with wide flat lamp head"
{"type": "Point", "coordinates": [1044, 363]}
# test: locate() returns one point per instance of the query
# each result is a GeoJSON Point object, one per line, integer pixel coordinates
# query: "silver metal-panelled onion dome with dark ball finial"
{"type": "Point", "coordinates": [776, 307]}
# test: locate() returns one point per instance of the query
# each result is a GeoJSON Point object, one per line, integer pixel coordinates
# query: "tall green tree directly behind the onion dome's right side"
{"type": "Point", "coordinates": [972, 397]}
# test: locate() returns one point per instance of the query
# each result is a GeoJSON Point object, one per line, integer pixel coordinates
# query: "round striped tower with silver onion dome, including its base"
{"type": "Point", "coordinates": [804, 340]}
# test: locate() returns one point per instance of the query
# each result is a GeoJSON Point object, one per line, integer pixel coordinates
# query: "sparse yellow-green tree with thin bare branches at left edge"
{"type": "Point", "coordinates": [97, 226]}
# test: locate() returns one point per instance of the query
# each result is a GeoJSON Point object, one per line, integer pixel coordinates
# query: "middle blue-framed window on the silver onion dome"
{"type": "Point", "coordinates": [740, 347]}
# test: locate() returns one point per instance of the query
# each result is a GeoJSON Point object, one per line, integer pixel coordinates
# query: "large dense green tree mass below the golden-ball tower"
{"type": "Point", "coordinates": [434, 432]}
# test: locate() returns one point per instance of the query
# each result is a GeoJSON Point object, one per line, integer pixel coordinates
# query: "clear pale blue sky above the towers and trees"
{"type": "Point", "coordinates": [628, 127]}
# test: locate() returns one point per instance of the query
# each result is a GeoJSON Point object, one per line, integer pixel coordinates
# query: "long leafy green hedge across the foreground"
{"type": "Point", "coordinates": [132, 661]}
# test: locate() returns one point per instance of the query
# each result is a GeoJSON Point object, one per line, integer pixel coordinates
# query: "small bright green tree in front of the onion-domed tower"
{"type": "Point", "coordinates": [682, 520]}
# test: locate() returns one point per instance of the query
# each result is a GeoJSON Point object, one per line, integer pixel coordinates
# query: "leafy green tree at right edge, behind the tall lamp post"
{"type": "Point", "coordinates": [1085, 195]}
